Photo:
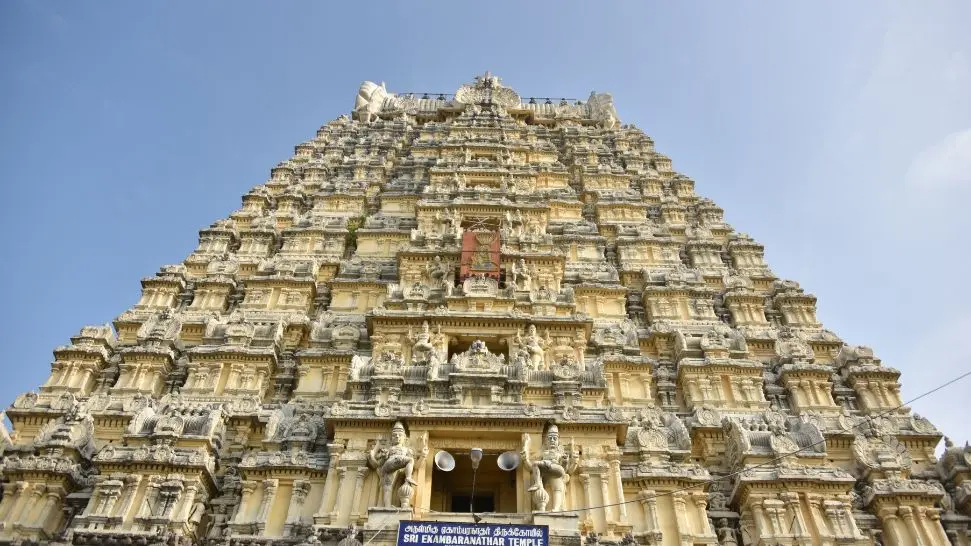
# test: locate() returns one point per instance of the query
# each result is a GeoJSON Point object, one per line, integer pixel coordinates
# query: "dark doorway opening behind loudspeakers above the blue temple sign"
{"type": "Point", "coordinates": [495, 489]}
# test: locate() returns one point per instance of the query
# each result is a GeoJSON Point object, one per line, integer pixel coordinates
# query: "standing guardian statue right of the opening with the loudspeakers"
{"type": "Point", "coordinates": [555, 465]}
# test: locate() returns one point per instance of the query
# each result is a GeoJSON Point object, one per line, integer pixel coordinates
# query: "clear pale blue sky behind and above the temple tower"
{"type": "Point", "coordinates": [836, 133]}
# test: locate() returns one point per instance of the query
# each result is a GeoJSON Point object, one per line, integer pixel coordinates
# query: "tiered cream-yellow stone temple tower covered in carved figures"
{"type": "Point", "coordinates": [437, 273]}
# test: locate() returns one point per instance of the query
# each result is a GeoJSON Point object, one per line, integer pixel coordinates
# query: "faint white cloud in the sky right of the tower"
{"type": "Point", "coordinates": [944, 164]}
